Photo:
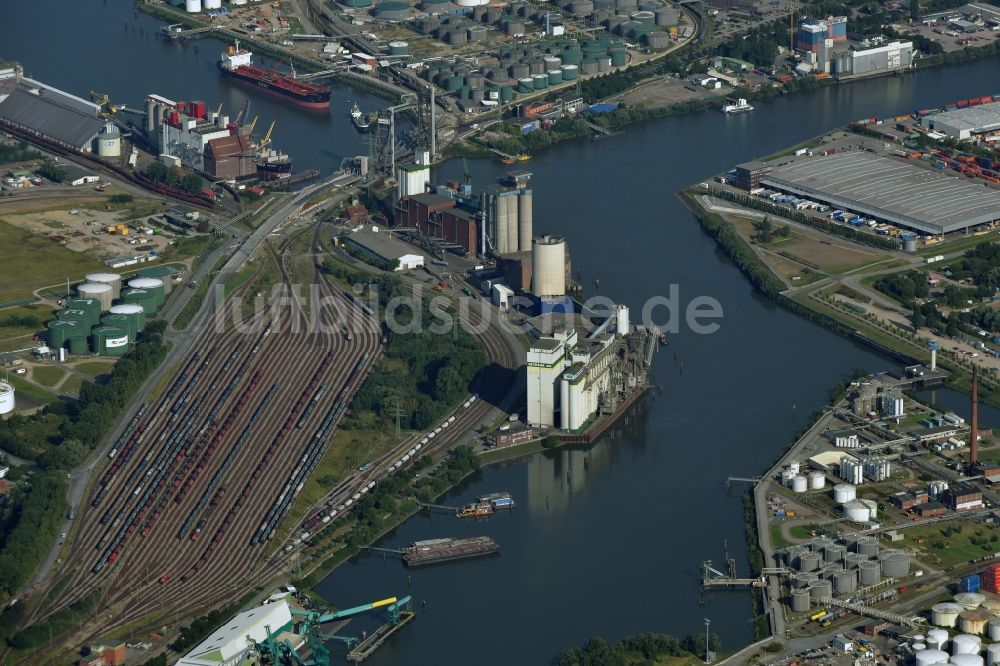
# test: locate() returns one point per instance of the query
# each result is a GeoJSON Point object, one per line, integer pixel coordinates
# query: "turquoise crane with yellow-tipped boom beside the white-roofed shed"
{"type": "Point", "coordinates": [307, 624]}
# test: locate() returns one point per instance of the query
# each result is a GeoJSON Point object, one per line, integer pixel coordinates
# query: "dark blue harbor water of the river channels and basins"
{"type": "Point", "coordinates": [605, 541]}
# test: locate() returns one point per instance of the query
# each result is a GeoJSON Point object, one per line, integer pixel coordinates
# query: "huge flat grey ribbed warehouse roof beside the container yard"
{"type": "Point", "coordinates": [890, 190]}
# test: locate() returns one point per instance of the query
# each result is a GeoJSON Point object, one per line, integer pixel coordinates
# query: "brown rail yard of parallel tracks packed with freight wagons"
{"type": "Point", "coordinates": [197, 485]}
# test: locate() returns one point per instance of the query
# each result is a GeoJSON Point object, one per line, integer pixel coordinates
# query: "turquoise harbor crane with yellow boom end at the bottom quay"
{"type": "Point", "coordinates": [276, 650]}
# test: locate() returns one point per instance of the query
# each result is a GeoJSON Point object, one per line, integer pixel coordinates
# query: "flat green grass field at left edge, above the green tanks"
{"type": "Point", "coordinates": [28, 262]}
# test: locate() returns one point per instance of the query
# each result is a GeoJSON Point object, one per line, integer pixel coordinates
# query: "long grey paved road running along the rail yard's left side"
{"type": "Point", "coordinates": [181, 342]}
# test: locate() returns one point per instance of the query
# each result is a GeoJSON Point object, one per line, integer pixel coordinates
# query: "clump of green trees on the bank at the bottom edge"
{"type": "Point", "coordinates": [640, 649]}
